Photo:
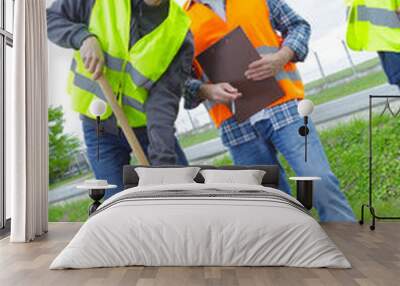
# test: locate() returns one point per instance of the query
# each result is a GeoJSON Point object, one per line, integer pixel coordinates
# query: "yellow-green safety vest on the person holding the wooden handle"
{"type": "Point", "coordinates": [131, 72]}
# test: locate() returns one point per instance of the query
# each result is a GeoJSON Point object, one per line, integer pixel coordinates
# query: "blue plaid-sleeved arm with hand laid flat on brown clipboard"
{"type": "Point", "coordinates": [296, 34]}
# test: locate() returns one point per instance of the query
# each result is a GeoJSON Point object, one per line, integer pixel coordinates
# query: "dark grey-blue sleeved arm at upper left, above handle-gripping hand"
{"type": "Point", "coordinates": [67, 22]}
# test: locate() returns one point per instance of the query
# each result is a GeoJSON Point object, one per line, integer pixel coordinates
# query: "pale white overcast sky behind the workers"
{"type": "Point", "coordinates": [327, 19]}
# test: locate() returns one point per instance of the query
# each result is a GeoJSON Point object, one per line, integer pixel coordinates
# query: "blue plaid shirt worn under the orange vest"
{"type": "Point", "coordinates": [296, 33]}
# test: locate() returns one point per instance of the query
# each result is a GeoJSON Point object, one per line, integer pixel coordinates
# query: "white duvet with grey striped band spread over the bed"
{"type": "Point", "coordinates": [200, 231]}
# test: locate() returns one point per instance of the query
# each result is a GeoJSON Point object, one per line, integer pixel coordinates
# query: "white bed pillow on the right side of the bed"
{"type": "Point", "coordinates": [246, 177]}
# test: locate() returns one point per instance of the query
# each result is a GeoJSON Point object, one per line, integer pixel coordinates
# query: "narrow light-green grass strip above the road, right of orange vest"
{"type": "Point", "coordinates": [349, 88]}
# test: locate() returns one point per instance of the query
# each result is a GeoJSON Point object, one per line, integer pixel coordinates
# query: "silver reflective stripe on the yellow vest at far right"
{"type": "Point", "coordinates": [378, 16]}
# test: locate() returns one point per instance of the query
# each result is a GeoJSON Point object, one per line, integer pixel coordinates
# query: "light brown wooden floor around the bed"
{"type": "Point", "coordinates": [375, 257]}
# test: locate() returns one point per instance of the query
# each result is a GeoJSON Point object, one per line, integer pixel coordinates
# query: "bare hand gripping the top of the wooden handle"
{"type": "Point", "coordinates": [92, 56]}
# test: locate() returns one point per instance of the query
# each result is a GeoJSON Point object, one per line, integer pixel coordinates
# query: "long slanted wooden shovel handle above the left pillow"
{"type": "Point", "coordinates": [123, 121]}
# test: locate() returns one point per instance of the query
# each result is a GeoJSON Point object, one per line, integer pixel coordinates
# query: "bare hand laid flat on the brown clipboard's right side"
{"type": "Point", "coordinates": [269, 65]}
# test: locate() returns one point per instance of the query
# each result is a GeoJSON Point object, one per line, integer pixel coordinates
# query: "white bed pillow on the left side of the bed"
{"type": "Point", "coordinates": [166, 176]}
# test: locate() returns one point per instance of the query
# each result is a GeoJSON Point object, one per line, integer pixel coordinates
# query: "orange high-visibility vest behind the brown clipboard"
{"type": "Point", "coordinates": [253, 17]}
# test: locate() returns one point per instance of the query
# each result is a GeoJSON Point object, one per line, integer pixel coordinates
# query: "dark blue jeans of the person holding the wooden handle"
{"type": "Point", "coordinates": [115, 153]}
